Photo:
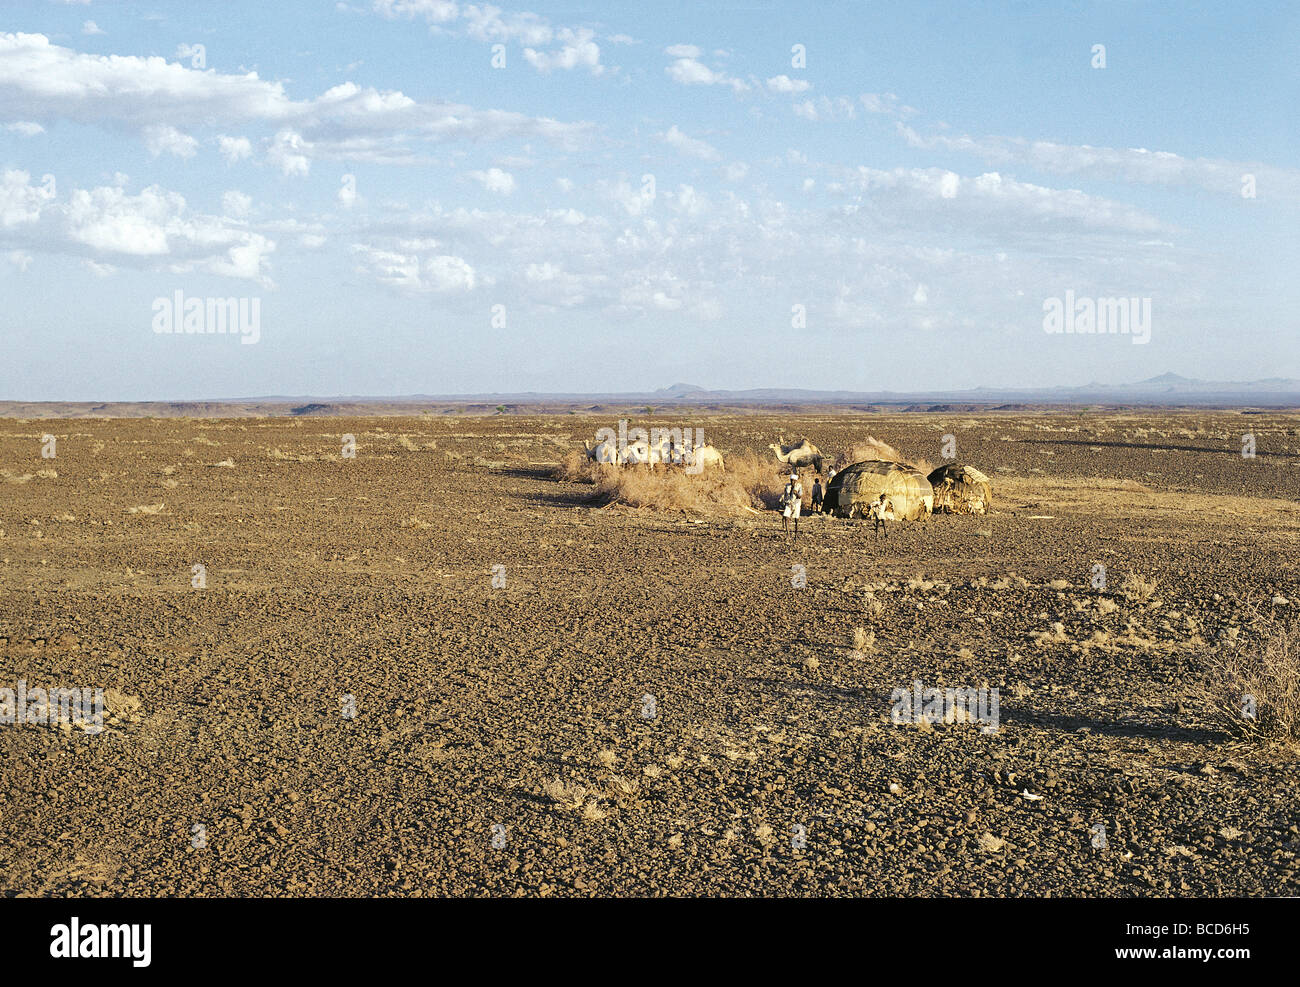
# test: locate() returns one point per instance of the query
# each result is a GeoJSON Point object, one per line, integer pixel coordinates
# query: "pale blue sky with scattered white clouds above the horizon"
{"type": "Point", "coordinates": [642, 194]}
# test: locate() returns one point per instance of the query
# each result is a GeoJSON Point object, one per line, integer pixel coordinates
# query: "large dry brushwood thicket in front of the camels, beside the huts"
{"type": "Point", "coordinates": [747, 482]}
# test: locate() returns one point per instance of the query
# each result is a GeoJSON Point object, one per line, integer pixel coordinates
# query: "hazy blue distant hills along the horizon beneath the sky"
{"type": "Point", "coordinates": [1168, 391]}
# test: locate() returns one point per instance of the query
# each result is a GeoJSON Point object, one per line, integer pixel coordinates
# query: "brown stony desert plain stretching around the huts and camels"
{"type": "Point", "coordinates": [440, 668]}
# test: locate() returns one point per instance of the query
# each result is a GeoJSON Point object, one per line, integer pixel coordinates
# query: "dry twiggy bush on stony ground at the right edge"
{"type": "Point", "coordinates": [1264, 666]}
